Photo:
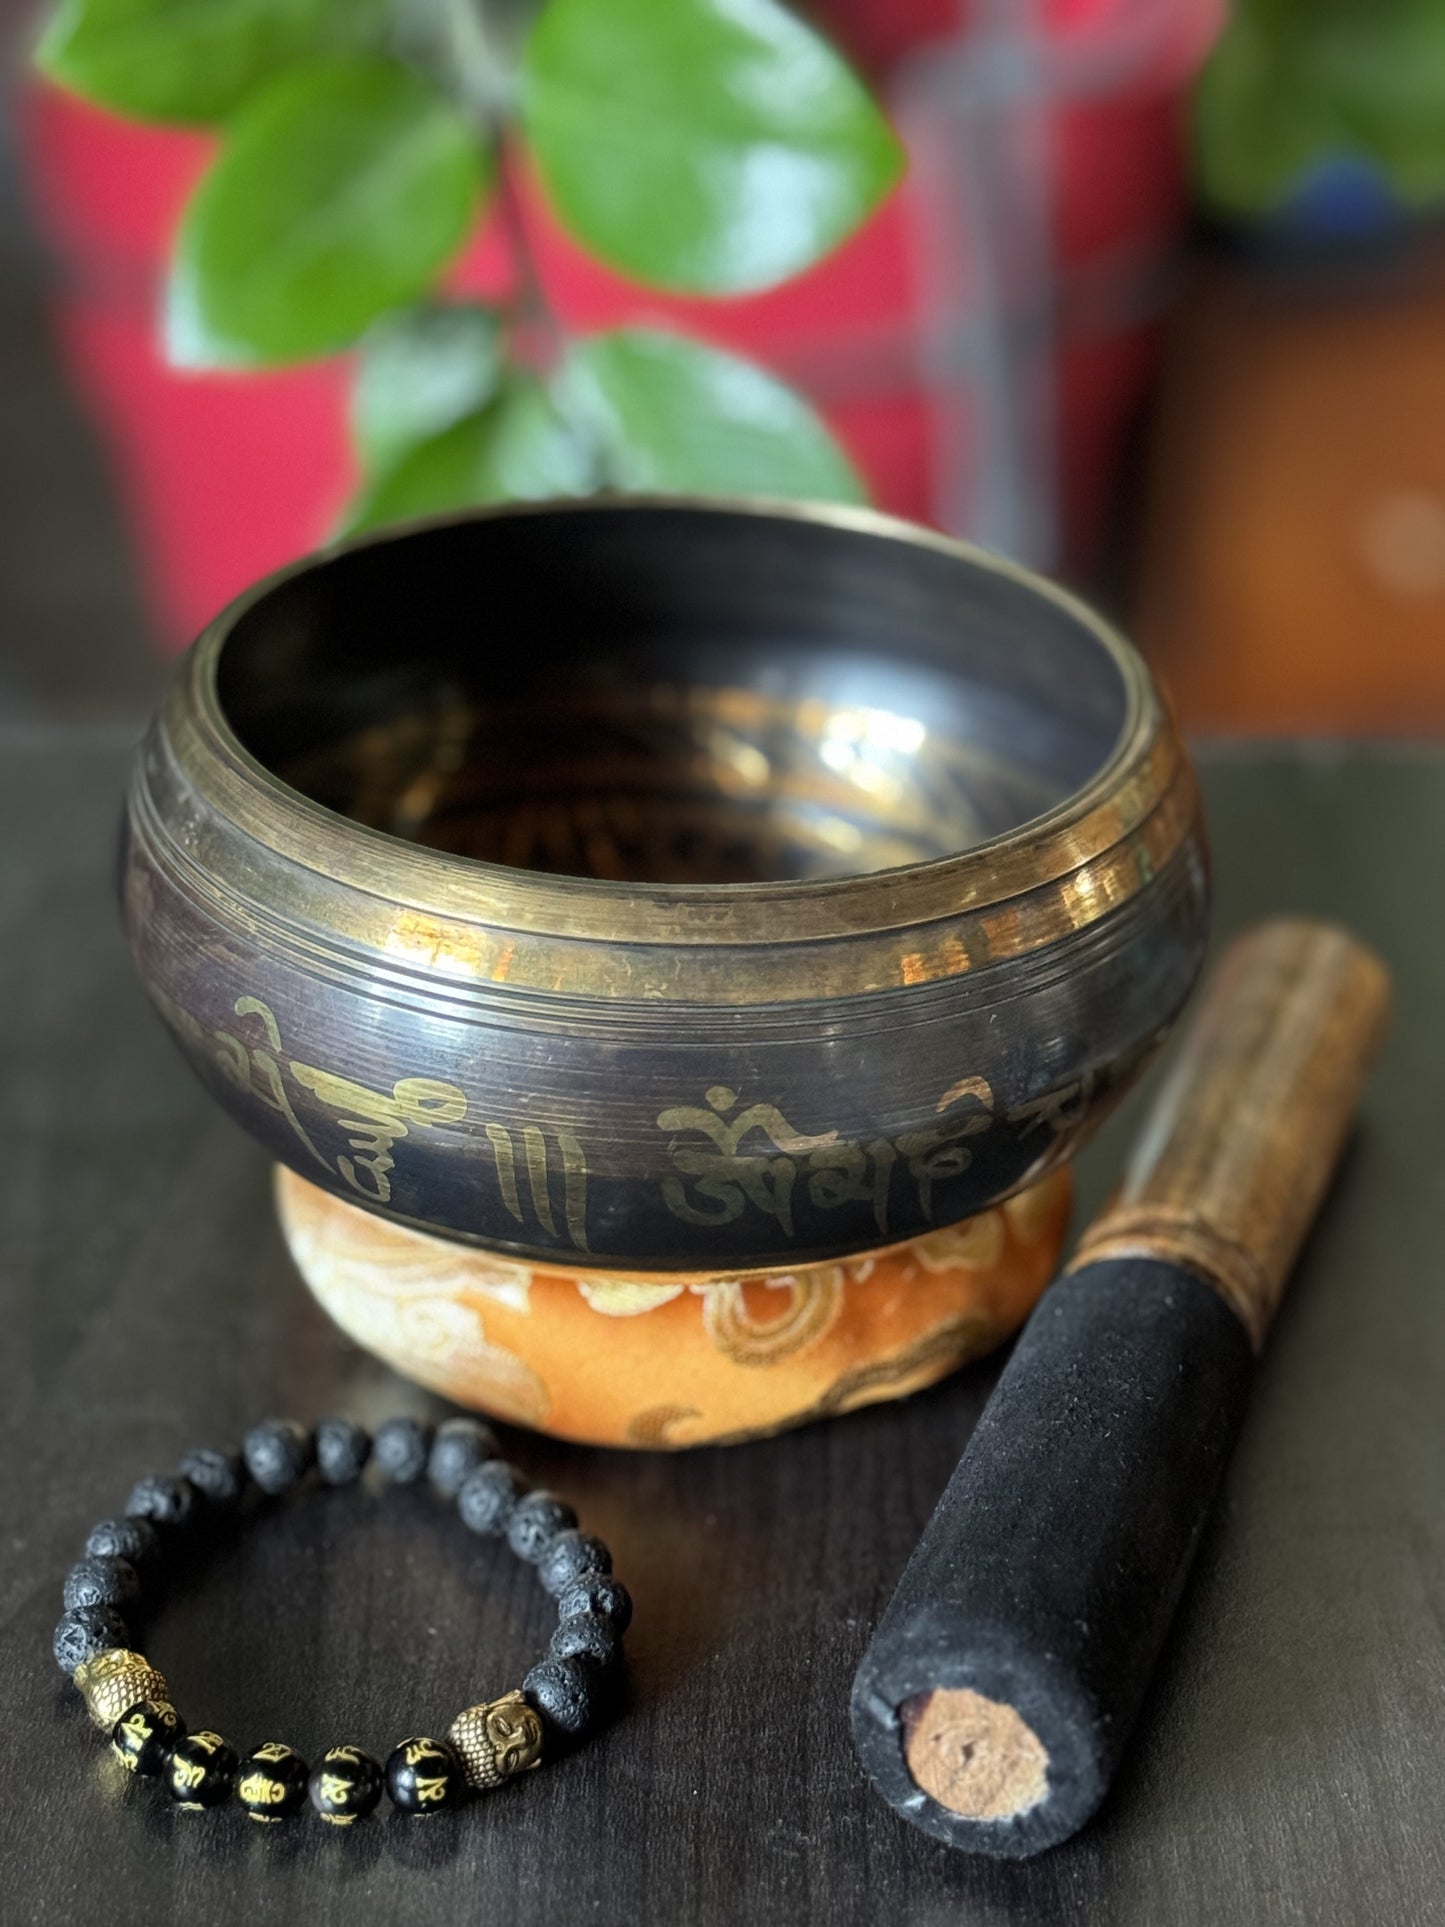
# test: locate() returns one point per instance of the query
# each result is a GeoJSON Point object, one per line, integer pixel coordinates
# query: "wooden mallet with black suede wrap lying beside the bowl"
{"type": "Point", "coordinates": [997, 1695]}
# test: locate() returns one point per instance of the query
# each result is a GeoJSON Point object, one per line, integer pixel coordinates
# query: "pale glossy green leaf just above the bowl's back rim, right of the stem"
{"type": "Point", "coordinates": [677, 415]}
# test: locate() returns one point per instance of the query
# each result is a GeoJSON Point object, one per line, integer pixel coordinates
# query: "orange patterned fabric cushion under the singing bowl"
{"type": "Point", "coordinates": [668, 1361]}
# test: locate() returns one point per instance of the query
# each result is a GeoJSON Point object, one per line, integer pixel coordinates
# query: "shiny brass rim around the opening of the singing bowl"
{"type": "Point", "coordinates": [1124, 793]}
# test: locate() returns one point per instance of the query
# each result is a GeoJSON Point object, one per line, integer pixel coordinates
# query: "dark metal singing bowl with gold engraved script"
{"type": "Point", "coordinates": [677, 885]}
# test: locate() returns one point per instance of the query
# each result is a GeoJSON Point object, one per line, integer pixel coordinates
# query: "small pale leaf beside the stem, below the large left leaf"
{"type": "Point", "coordinates": [421, 373]}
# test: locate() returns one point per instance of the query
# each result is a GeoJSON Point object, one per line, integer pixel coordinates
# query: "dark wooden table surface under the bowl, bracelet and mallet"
{"type": "Point", "coordinates": [1292, 1760]}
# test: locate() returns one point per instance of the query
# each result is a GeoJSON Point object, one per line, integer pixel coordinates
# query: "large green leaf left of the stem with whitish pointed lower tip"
{"type": "Point", "coordinates": [340, 194]}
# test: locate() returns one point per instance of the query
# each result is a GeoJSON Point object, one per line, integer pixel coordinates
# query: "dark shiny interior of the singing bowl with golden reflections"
{"type": "Point", "coordinates": [666, 695]}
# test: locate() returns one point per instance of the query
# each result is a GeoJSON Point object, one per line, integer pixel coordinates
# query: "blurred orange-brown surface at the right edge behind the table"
{"type": "Point", "coordinates": [1294, 566]}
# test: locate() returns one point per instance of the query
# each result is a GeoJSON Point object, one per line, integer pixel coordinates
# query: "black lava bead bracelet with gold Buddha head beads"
{"type": "Point", "coordinates": [560, 1701]}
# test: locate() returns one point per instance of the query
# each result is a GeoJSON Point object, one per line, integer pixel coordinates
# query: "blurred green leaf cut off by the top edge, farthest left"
{"type": "Point", "coordinates": [194, 61]}
